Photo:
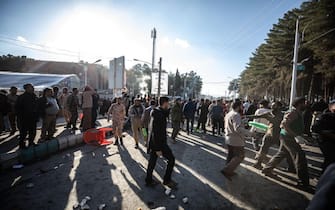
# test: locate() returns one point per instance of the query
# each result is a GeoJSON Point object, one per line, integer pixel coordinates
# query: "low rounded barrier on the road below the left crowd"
{"type": "Point", "coordinates": [42, 150]}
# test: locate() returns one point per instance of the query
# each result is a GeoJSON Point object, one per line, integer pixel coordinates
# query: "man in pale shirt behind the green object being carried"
{"type": "Point", "coordinates": [263, 108]}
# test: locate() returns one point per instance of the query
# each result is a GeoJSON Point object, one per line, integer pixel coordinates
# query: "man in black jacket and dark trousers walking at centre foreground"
{"type": "Point", "coordinates": [158, 146]}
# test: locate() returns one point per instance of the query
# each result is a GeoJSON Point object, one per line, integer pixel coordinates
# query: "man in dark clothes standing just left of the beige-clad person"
{"type": "Point", "coordinates": [73, 104]}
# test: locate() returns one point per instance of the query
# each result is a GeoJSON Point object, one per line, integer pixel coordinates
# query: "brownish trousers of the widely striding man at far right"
{"type": "Point", "coordinates": [296, 153]}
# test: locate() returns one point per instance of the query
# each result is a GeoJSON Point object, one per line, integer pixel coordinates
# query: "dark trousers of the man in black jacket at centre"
{"type": "Point", "coordinates": [167, 153]}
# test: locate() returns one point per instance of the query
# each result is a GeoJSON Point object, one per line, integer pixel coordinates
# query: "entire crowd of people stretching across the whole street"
{"type": "Point", "coordinates": [147, 117]}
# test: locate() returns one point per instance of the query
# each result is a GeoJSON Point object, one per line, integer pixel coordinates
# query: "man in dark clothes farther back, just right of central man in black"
{"type": "Point", "coordinates": [176, 117]}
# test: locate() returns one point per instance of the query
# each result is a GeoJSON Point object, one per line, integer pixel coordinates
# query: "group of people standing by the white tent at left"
{"type": "Point", "coordinates": [23, 111]}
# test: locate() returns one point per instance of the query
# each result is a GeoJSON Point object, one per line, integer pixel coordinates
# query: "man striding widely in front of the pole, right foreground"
{"type": "Point", "coordinates": [293, 126]}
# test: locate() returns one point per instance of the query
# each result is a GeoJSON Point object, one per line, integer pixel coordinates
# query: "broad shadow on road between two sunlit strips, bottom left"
{"type": "Point", "coordinates": [94, 178]}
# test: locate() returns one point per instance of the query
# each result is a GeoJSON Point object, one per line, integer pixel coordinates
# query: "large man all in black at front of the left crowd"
{"type": "Point", "coordinates": [26, 109]}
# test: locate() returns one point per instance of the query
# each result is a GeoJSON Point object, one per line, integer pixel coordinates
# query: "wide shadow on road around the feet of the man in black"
{"type": "Point", "coordinates": [200, 194]}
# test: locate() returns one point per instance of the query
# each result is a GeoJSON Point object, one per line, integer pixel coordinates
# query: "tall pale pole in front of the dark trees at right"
{"type": "Point", "coordinates": [295, 64]}
